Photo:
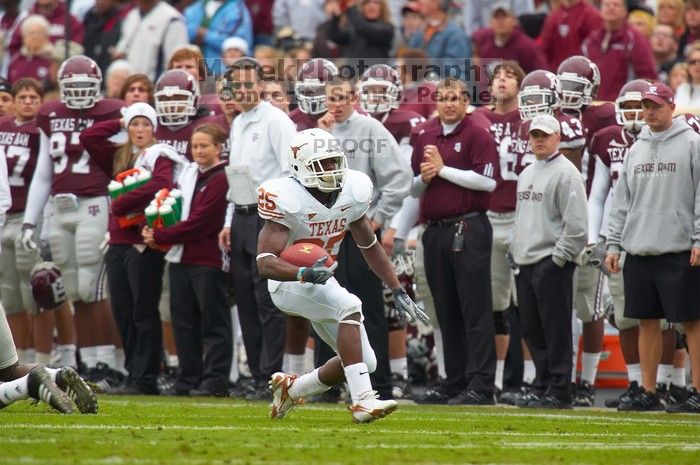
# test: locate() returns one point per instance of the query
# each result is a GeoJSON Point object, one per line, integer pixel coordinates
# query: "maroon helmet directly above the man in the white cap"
{"type": "Point", "coordinates": [539, 94]}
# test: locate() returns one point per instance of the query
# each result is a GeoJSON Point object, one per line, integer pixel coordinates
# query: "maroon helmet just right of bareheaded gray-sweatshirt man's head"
{"type": "Point", "coordinates": [389, 98]}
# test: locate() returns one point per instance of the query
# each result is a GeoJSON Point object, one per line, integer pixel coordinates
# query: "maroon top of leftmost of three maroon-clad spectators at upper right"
{"type": "Point", "coordinates": [518, 47]}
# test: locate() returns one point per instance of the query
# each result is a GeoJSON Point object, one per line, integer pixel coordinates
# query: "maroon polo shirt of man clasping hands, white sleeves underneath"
{"type": "Point", "coordinates": [468, 147]}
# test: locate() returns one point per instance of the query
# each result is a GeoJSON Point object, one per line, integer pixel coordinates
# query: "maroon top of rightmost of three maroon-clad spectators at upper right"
{"type": "Point", "coordinates": [625, 55]}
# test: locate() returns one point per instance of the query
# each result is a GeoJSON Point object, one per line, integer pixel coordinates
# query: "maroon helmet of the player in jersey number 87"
{"type": "Point", "coordinates": [79, 82]}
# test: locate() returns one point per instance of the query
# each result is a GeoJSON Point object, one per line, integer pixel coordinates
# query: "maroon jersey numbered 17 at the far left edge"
{"type": "Point", "coordinates": [19, 144]}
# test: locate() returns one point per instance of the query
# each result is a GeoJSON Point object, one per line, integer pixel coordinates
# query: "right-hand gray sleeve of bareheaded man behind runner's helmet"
{"type": "Point", "coordinates": [392, 174]}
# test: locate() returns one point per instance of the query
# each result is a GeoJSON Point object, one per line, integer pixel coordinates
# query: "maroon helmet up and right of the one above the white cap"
{"type": "Point", "coordinates": [579, 79]}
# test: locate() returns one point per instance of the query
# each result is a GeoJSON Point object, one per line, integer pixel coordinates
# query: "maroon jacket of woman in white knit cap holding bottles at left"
{"type": "Point", "coordinates": [96, 143]}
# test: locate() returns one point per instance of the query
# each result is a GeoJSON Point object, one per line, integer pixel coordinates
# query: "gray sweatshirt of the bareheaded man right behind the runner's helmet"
{"type": "Point", "coordinates": [371, 148]}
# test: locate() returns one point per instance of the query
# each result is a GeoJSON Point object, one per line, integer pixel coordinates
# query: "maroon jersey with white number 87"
{"type": "Point", "coordinates": [74, 171]}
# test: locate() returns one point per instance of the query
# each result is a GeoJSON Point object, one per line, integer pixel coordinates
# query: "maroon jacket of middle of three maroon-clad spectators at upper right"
{"type": "Point", "coordinates": [564, 30]}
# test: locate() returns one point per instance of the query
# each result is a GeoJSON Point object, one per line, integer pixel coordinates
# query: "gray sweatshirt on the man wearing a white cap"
{"type": "Point", "coordinates": [551, 215]}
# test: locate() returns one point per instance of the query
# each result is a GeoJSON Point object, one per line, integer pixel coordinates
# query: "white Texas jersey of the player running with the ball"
{"type": "Point", "coordinates": [287, 202]}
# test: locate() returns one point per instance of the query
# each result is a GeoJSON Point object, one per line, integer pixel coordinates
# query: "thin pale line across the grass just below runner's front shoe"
{"type": "Point", "coordinates": [291, 428]}
